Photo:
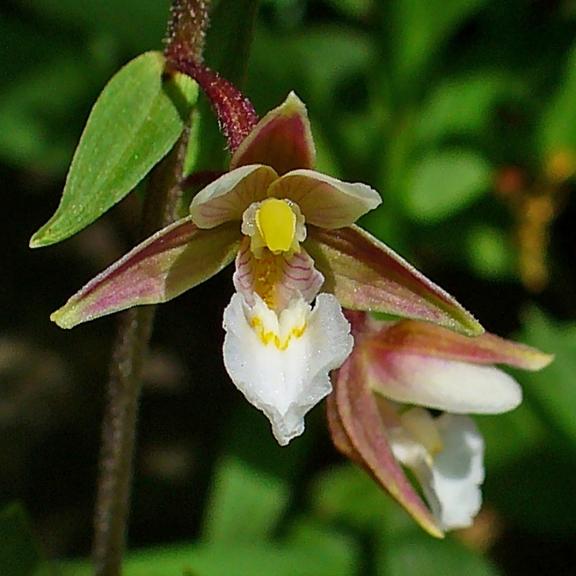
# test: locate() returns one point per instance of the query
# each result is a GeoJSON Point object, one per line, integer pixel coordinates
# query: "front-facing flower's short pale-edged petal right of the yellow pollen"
{"type": "Point", "coordinates": [325, 201]}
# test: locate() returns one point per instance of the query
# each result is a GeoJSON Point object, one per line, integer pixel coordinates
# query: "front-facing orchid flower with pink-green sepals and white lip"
{"type": "Point", "coordinates": [291, 233]}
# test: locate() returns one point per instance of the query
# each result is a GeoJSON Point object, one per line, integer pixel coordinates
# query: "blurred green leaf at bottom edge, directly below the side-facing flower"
{"type": "Point", "coordinates": [418, 554]}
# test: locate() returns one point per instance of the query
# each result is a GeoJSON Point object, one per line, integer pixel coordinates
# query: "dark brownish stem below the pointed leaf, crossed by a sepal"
{"type": "Point", "coordinates": [121, 415]}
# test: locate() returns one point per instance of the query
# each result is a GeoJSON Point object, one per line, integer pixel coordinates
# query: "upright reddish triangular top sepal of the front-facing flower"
{"type": "Point", "coordinates": [282, 139]}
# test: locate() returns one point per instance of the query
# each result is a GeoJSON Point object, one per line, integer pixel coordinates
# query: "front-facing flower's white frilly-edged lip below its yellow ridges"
{"type": "Point", "coordinates": [286, 384]}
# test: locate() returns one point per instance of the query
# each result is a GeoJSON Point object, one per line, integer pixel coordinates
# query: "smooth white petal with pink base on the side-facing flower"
{"type": "Point", "coordinates": [449, 385]}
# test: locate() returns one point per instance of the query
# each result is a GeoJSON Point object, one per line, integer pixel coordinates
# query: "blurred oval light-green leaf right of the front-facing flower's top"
{"type": "Point", "coordinates": [444, 182]}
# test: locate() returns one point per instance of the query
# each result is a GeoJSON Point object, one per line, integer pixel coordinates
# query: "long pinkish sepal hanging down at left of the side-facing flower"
{"type": "Point", "coordinates": [360, 432]}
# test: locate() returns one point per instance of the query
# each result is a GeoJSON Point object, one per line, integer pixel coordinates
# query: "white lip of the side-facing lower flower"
{"type": "Point", "coordinates": [446, 455]}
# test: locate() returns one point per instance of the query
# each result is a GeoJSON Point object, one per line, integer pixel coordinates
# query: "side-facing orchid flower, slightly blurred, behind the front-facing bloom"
{"type": "Point", "coordinates": [379, 417]}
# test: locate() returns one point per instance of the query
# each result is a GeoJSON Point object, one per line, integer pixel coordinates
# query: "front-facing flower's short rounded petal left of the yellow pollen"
{"type": "Point", "coordinates": [227, 198]}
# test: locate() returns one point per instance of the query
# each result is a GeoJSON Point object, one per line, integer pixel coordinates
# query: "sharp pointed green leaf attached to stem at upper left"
{"type": "Point", "coordinates": [133, 125]}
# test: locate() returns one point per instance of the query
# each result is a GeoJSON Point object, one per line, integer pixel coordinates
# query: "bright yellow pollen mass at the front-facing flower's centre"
{"type": "Point", "coordinates": [276, 223]}
